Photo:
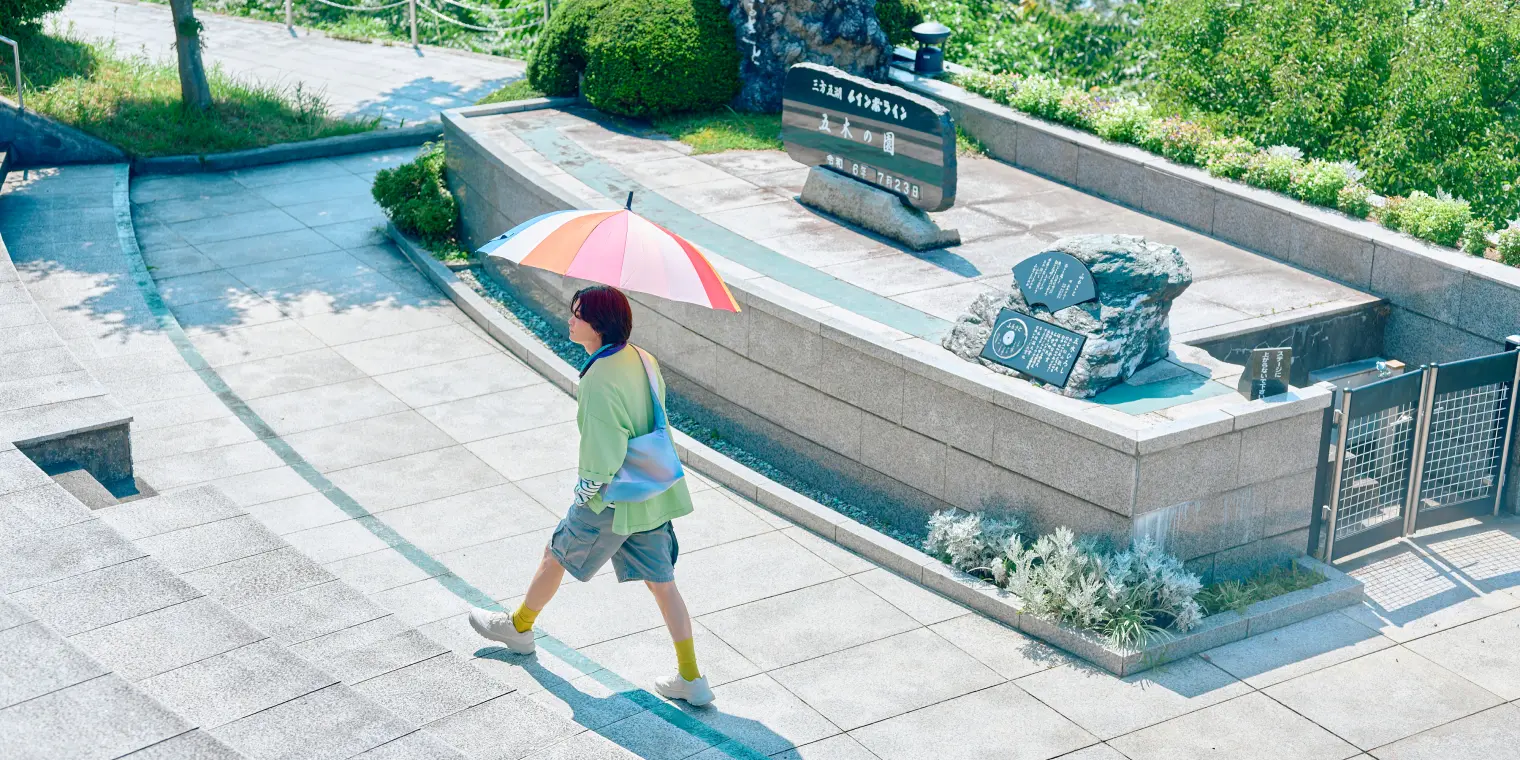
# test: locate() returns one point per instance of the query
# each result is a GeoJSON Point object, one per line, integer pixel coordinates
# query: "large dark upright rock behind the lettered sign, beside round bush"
{"type": "Point", "coordinates": [776, 34]}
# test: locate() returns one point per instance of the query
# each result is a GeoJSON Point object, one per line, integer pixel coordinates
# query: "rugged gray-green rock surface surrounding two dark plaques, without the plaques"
{"type": "Point", "coordinates": [1127, 328]}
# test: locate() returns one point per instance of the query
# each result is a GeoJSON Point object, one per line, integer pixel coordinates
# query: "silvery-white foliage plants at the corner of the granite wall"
{"type": "Point", "coordinates": [1127, 597]}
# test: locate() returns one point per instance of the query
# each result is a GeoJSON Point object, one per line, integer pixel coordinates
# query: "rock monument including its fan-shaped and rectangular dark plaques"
{"type": "Point", "coordinates": [1123, 331]}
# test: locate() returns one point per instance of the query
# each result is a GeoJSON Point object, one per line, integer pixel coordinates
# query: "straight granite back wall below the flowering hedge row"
{"type": "Point", "coordinates": [1436, 283]}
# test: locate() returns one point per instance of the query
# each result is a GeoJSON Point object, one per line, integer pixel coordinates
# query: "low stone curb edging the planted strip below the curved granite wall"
{"type": "Point", "coordinates": [1340, 591]}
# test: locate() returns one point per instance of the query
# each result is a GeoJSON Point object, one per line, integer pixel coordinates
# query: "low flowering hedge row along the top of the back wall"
{"type": "Point", "coordinates": [1440, 220]}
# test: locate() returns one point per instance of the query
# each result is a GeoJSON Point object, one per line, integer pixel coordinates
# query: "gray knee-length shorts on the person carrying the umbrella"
{"type": "Point", "coordinates": [584, 542]}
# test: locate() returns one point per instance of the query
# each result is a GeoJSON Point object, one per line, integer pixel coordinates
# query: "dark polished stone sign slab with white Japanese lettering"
{"type": "Point", "coordinates": [879, 135]}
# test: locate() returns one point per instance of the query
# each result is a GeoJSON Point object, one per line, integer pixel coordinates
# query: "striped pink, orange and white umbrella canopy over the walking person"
{"type": "Point", "coordinates": [618, 249]}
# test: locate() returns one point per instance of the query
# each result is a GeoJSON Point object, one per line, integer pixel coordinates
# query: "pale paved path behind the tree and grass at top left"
{"type": "Point", "coordinates": [397, 84]}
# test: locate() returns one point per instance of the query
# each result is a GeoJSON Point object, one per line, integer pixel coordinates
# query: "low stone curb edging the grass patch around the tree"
{"type": "Point", "coordinates": [303, 151]}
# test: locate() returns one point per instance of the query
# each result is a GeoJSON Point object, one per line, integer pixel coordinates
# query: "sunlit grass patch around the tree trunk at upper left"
{"type": "Point", "coordinates": [133, 103]}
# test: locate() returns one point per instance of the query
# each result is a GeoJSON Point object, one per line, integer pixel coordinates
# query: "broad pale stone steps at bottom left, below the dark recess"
{"type": "Point", "coordinates": [180, 627]}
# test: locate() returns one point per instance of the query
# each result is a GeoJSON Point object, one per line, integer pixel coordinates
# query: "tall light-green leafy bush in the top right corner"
{"type": "Point", "coordinates": [1423, 97]}
